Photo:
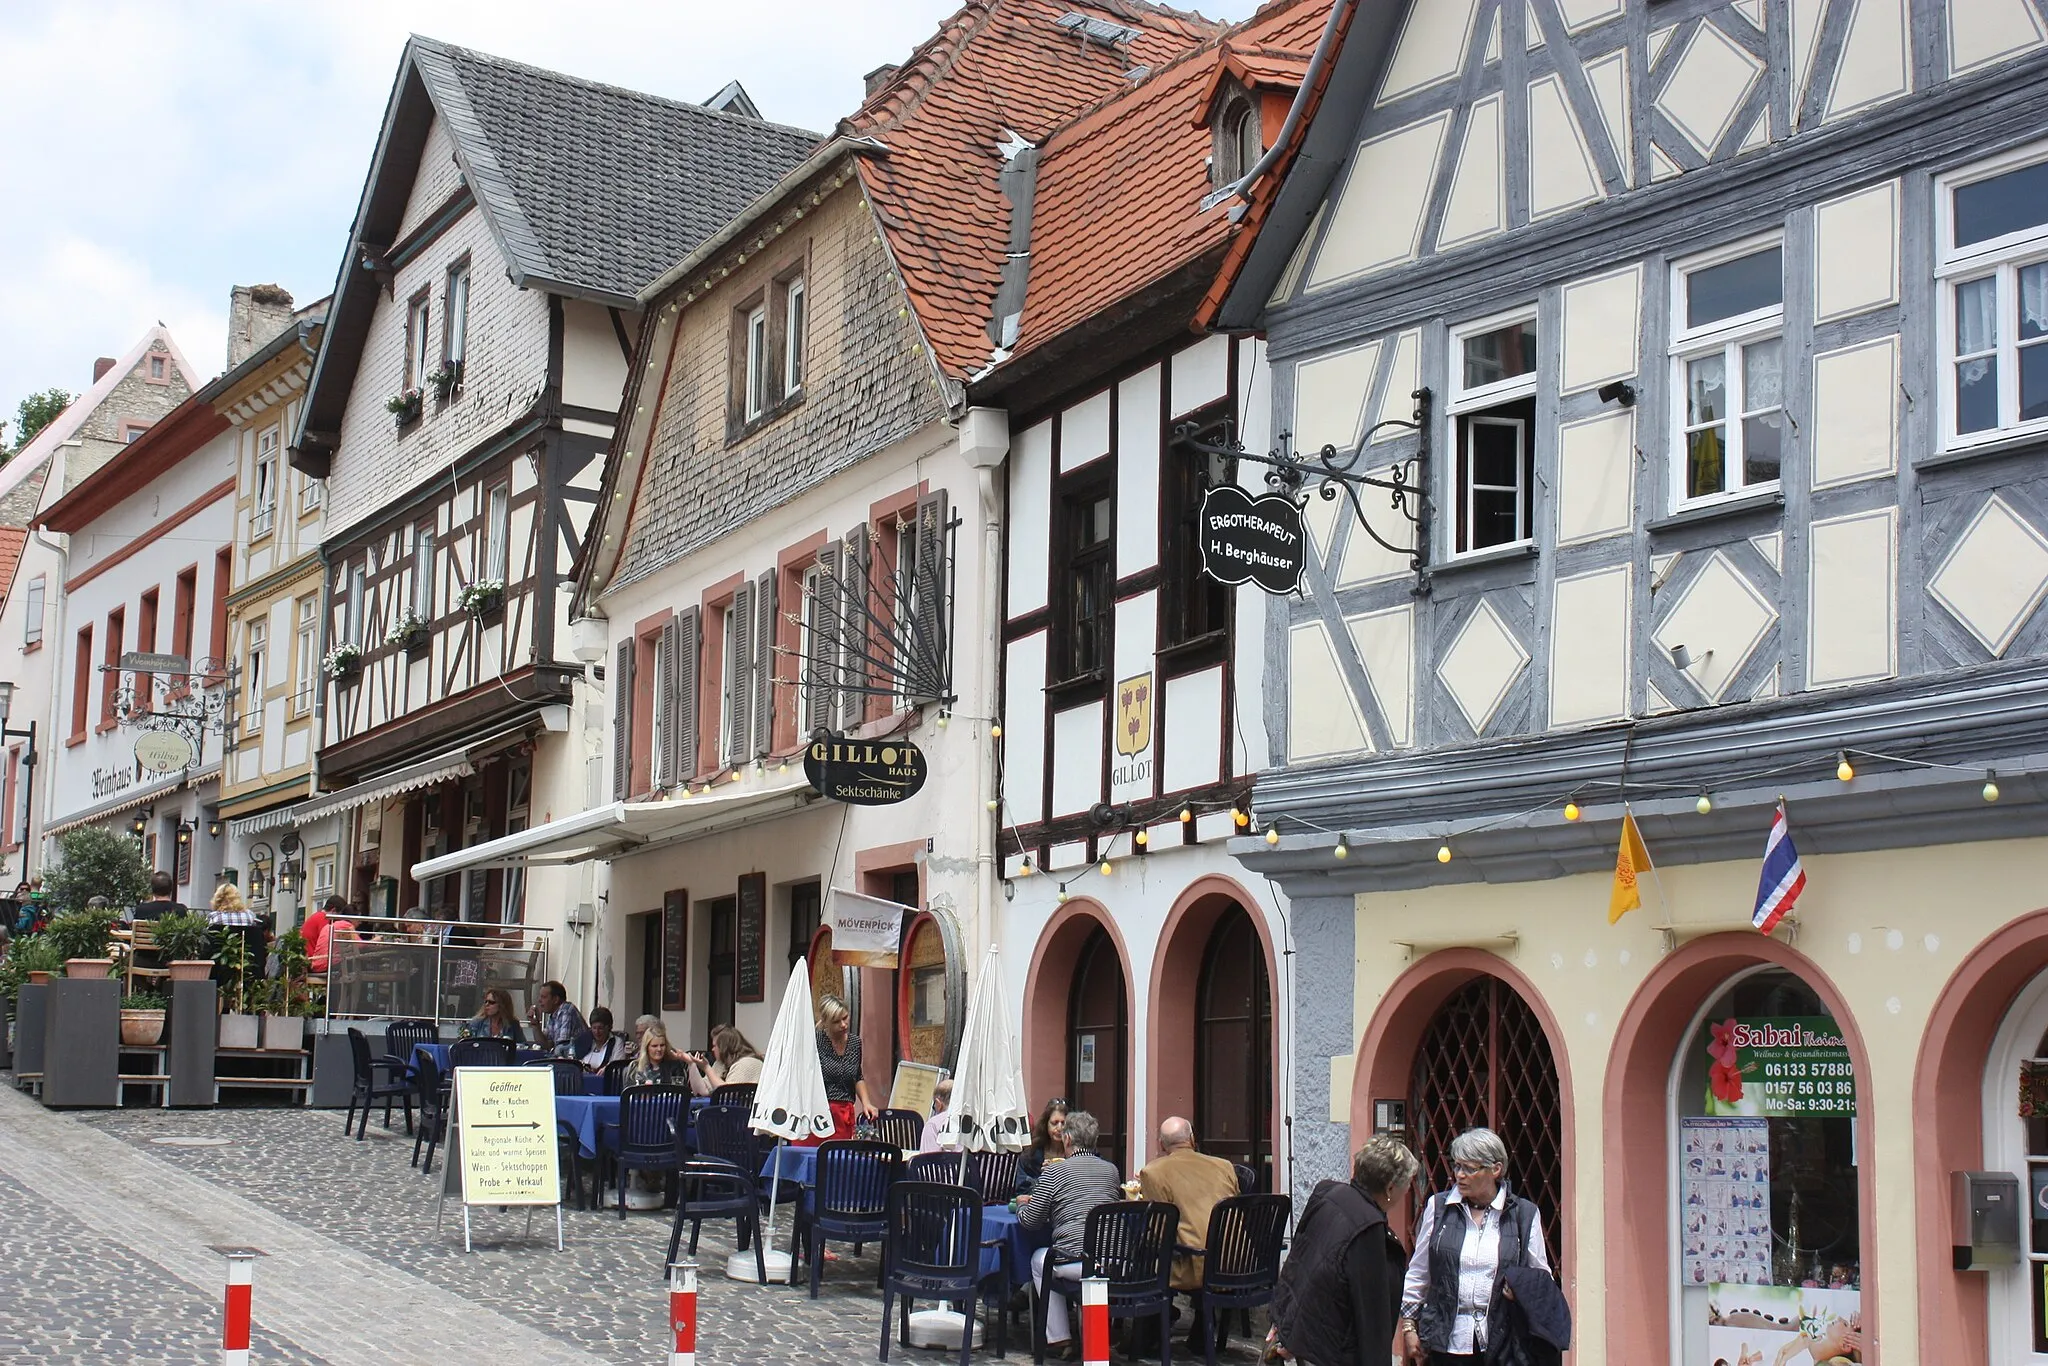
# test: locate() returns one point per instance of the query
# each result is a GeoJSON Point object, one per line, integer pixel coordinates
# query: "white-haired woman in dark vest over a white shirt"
{"type": "Point", "coordinates": [1467, 1238]}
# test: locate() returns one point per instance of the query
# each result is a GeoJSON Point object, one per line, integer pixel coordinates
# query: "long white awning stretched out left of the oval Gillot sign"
{"type": "Point", "coordinates": [624, 828]}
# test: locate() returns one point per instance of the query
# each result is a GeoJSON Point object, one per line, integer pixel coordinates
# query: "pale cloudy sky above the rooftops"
{"type": "Point", "coordinates": [159, 155]}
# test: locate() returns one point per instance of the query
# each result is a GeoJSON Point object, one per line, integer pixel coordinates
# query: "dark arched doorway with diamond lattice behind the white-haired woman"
{"type": "Point", "coordinates": [1486, 1064]}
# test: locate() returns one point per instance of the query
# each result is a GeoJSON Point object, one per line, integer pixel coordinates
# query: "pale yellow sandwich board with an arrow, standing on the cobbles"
{"type": "Point", "coordinates": [505, 1121]}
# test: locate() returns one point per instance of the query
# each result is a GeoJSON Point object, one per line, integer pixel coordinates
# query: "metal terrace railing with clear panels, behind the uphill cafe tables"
{"type": "Point", "coordinates": [437, 978]}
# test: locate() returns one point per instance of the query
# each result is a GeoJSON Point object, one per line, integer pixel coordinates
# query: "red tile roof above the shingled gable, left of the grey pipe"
{"type": "Point", "coordinates": [994, 69]}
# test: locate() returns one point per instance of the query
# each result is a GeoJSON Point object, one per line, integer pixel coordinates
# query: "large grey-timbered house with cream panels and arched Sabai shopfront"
{"type": "Point", "coordinates": [1703, 339]}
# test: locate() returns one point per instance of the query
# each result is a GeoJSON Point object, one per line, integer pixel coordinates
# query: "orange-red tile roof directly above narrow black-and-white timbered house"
{"type": "Point", "coordinates": [1119, 198]}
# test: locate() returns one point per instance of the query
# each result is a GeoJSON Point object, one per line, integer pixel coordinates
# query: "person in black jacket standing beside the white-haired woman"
{"type": "Point", "coordinates": [1340, 1287]}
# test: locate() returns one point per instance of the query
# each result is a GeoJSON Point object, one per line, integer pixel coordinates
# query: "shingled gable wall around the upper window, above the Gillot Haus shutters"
{"type": "Point", "coordinates": [867, 384]}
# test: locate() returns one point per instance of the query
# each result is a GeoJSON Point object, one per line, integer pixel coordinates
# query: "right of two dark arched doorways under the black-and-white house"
{"type": "Point", "coordinates": [1234, 1078]}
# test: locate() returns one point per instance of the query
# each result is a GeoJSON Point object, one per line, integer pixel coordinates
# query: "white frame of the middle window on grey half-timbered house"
{"type": "Point", "coordinates": [1730, 337]}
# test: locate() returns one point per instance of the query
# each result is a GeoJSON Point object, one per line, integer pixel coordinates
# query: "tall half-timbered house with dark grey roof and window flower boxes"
{"type": "Point", "coordinates": [466, 386]}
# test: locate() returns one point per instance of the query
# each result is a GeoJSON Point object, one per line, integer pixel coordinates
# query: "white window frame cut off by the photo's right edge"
{"type": "Point", "coordinates": [2002, 259]}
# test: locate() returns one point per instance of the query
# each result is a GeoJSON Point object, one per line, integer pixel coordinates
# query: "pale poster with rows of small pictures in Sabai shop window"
{"type": "Point", "coordinates": [1725, 1201]}
